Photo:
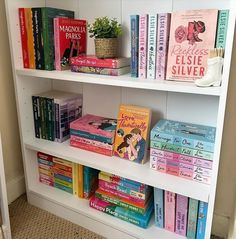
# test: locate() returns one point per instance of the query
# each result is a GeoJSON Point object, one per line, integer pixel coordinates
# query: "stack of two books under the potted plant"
{"type": "Point", "coordinates": [92, 64]}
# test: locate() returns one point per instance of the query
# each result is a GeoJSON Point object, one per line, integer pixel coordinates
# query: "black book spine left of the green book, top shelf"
{"type": "Point", "coordinates": [38, 44]}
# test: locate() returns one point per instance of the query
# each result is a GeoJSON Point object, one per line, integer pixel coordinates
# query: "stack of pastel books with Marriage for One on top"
{"type": "Point", "coordinates": [183, 149]}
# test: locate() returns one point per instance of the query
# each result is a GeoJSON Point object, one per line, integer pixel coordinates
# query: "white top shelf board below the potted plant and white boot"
{"type": "Point", "coordinates": [123, 81]}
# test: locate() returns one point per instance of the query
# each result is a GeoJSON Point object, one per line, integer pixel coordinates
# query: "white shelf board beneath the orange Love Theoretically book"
{"type": "Point", "coordinates": [123, 168]}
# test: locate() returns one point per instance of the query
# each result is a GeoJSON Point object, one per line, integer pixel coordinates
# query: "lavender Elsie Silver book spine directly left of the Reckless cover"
{"type": "Point", "coordinates": [162, 45]}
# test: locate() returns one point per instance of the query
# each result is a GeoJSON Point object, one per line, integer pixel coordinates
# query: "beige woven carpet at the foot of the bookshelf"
{"type": "Point", "coordinates": [29, 222]}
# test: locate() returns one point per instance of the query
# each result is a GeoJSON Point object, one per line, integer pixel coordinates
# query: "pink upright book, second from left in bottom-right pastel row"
{"type": "Point", "coordinates": [169, 211]}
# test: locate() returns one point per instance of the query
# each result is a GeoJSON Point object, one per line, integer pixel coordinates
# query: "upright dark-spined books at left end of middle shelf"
{"type": "Point", "coordinates": [53, 111]}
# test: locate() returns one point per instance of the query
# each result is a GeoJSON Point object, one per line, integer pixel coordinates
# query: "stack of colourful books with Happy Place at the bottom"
{"type": "Point", "coordinates": [123, 198]}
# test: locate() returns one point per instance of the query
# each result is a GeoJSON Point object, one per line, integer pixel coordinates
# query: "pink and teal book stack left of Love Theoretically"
{"type": "Point", "coordinates": [93, 133]}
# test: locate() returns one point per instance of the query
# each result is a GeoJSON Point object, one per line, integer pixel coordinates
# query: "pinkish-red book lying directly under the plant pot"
{"type": "Point", "coordinates": [92, 60]}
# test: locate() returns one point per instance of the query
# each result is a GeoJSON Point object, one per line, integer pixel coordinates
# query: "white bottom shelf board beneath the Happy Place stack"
{"type": "Point", "coordinates": [82, 206]}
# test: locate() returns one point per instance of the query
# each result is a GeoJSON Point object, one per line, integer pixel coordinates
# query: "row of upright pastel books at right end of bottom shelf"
{"type": "Point", "coordinates": [182, 215]}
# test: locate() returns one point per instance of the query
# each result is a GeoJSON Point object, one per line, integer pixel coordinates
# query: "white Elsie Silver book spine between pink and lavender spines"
{"type": "Point", "coordinates": [151, 50]}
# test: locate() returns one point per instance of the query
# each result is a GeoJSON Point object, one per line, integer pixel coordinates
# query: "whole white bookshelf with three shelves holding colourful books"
{"type": "Point", "coordinates": [102, 96]}
